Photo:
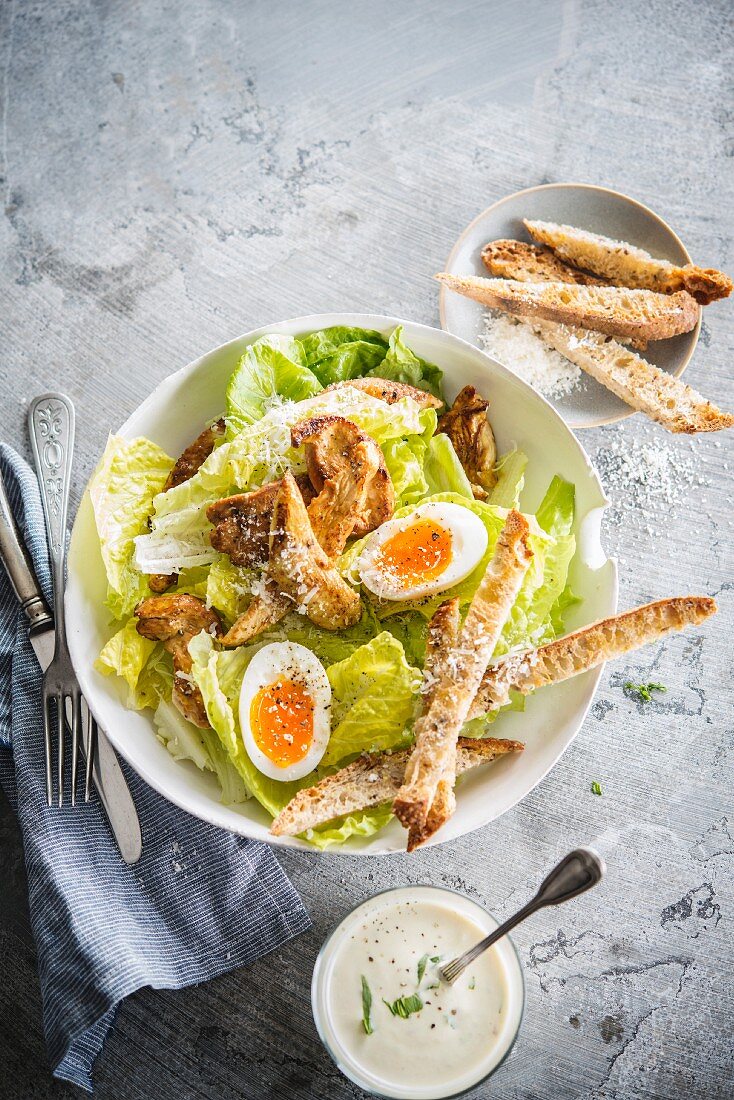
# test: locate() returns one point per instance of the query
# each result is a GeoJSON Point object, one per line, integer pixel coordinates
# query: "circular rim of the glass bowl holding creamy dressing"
{"type": "Point", "coordinates": [419, 887]}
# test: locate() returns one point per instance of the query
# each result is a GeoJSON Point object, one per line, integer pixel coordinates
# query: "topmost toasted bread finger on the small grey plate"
{"type": "Point", "coordinates": [627, 266]}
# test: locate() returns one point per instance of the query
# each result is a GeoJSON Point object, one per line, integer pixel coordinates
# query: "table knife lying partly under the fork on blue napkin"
{"type": "Point", "coordinates": [109, 780]}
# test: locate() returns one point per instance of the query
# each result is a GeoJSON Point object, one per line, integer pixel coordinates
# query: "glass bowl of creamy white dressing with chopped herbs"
{"type": "Point", "coordinates": [385, 1017]}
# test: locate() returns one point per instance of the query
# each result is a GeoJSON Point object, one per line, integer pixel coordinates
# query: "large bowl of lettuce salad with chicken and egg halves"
{"type": "Point", "coordinates": [283, 548]}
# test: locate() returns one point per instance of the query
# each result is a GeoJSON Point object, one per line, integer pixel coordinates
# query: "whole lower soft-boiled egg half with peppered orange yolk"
{"type": "Point", "coordinates": [286, 703]}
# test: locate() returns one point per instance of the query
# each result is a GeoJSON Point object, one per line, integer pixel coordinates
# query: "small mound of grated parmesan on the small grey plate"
{"type": "Point", "coordinates": [517, 346]}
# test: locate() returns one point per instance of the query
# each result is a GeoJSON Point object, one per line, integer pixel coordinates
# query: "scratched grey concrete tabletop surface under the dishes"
{"type": "Point", "coordinates": [177, 173]}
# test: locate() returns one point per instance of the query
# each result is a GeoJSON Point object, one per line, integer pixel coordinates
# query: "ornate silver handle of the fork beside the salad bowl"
{"type": "Point", "coordinates": [51, 425]}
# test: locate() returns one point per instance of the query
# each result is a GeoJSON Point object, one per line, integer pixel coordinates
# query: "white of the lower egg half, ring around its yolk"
{"type": "Point", "coordinates": [295, 663]}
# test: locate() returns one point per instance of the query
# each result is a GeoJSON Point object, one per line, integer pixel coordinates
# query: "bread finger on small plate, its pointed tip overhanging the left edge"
{"type": "Point", "coordinates": [617, 312]}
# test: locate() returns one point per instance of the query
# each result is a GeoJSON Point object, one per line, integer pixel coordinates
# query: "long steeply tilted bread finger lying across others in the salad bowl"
{"type": "Point", "coordinates": [434, 754]}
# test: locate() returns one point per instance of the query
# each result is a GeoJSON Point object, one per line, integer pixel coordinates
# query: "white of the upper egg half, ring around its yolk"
{"type": "Point", "coordinates": [469, 541]}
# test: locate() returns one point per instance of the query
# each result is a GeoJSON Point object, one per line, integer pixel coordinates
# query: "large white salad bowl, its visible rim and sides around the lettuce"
{"type": "Point", "coordinates": [174, 414]}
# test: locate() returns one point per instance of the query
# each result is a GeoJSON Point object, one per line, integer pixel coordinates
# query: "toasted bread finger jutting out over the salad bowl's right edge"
{"type": "Point", "coordinates": [587, 648]}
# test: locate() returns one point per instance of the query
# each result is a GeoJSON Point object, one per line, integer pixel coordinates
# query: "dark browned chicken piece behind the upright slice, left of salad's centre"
{"type": "Point", "coordinates": [243, 523]}
